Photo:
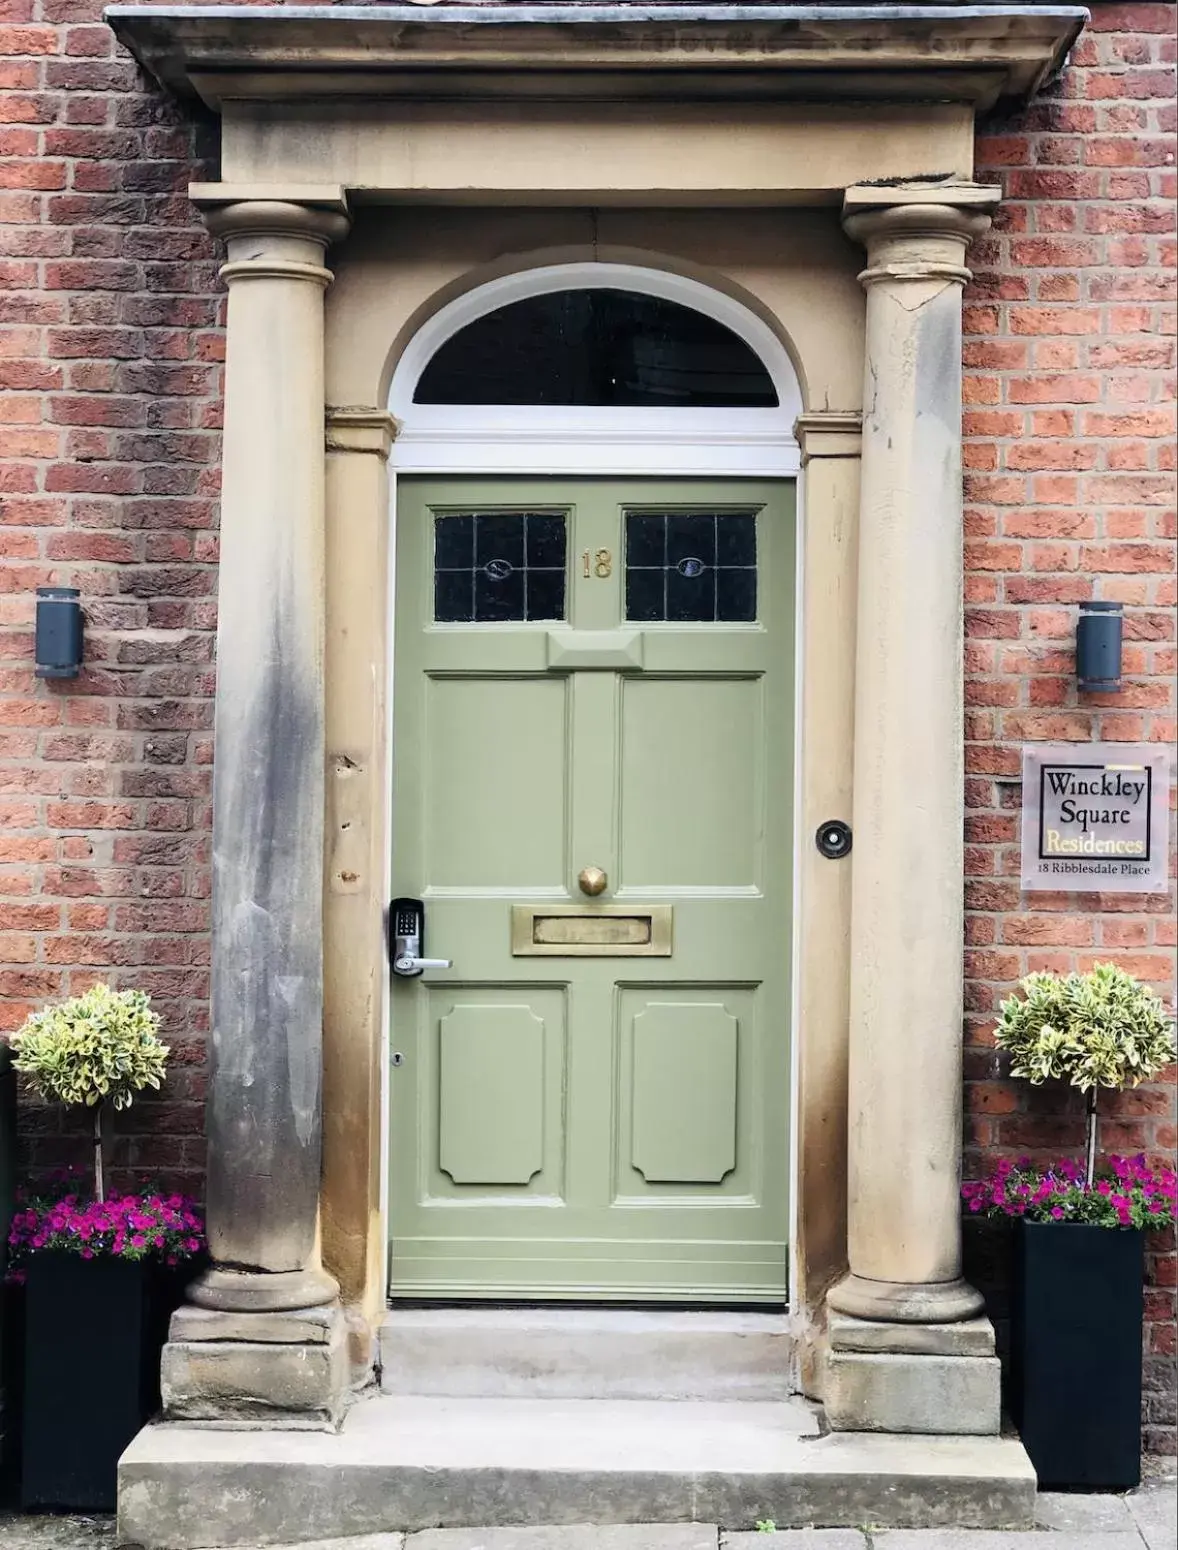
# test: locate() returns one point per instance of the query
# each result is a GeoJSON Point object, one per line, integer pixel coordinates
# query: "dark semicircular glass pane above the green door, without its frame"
{"type": "Point", "coordinates": [604, 348]}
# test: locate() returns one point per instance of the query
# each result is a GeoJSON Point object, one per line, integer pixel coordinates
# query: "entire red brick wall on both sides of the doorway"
{"type": "Point", "coordinates": [109, 348]}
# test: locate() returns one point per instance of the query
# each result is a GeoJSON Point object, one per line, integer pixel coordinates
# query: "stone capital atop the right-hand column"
{"type": "Point", "coordinates": [918, 232]}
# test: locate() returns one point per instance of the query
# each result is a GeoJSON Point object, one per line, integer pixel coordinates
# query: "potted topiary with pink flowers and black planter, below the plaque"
{"type": "Point", "coordinates": [1076, 1297]}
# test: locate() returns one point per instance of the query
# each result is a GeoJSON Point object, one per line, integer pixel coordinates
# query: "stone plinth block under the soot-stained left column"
{"type": "Point", "coordinates": [286, 1371]}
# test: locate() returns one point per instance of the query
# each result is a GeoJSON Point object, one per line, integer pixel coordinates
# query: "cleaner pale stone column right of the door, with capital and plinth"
{"type": "Point", "coordinates": [904, 1123]}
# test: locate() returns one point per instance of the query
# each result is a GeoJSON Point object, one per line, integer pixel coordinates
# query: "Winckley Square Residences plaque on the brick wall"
{"type": "Point", "coordinates": [1095, 818]}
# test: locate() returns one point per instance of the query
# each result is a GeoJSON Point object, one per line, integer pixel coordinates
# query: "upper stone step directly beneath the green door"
{"type": "Point", "coordinates": [576, 1354]}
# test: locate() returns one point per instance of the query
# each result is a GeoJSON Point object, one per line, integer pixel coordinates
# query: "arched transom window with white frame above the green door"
{"type": "Point", "coordinates": [596, 370]}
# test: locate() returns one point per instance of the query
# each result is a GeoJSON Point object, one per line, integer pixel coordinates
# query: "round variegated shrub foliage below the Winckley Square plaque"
{"type": "Point", "coordinates": [1092, 1030]}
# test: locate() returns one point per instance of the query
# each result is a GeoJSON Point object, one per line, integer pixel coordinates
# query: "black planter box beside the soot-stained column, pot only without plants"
{"type": "Point", "coordinates": [94, 1334]}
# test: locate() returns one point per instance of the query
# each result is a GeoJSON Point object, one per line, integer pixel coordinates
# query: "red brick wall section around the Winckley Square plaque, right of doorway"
{"type": "Point", "coordinates": [1070, 495]}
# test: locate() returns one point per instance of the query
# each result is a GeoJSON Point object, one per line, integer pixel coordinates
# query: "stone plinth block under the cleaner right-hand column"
{"type": "Point", "coordinates": [934, 1379]}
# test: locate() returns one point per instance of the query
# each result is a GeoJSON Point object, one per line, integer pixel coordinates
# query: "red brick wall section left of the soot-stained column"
{"type": "Point", "coordinates": [109, 382]}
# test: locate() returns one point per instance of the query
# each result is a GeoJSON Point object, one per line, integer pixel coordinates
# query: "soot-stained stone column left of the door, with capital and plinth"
{"type": "Point", "coordinates": [264, 1335]}
